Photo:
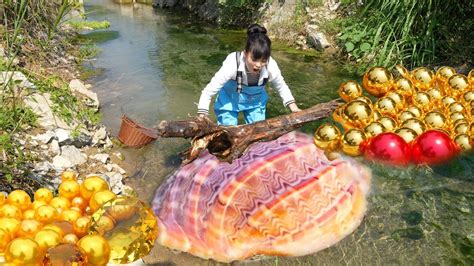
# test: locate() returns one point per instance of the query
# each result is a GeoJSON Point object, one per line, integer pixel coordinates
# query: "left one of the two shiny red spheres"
{"type": "Point", "coordinates": [388, 148]}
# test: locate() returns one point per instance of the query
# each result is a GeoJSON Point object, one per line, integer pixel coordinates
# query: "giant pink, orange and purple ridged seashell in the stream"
{"type": "Point", "coordinates": [283, 197]}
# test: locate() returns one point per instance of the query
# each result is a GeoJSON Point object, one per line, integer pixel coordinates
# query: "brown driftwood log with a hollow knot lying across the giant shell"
{"type": "Point", "coordinates": [229, 142]}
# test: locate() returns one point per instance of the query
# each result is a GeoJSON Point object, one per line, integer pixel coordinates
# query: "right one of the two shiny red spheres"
{"type": "Point", "coordinates": [433, 147]}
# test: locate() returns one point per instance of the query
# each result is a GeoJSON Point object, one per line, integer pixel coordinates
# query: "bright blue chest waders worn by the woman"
{"type": "Point", "coordinates": [234, 97]}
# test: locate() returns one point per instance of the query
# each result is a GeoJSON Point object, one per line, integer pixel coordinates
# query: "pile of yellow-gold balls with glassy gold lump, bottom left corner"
{"type": "Point", "coordinates": [85, 224]}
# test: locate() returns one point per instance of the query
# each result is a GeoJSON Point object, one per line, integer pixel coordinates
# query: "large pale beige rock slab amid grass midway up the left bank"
{"type": "Point", "coordinates": [40, 104]}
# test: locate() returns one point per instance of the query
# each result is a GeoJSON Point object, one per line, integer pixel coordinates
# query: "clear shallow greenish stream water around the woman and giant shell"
{"type": "Point", "coordinates": [155, 67]}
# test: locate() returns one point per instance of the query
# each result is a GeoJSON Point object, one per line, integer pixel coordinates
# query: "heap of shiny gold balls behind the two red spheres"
{"type": "Point", "coordinates": [406, 103]}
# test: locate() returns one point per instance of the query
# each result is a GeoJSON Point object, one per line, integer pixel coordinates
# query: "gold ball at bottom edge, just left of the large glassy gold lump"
{"type": "Point", "coordinates": [96, 248]}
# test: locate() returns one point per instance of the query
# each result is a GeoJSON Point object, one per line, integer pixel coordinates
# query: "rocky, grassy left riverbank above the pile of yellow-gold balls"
{"type": "Point", "coordinates": [40, 83]}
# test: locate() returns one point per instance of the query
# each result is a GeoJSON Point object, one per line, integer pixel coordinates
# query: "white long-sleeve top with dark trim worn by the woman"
{"type": "Point", "coordinates": [228, 71]}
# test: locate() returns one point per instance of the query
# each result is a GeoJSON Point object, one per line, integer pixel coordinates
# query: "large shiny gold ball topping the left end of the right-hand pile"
{"type": "Point", "coordinates": [377, 81]}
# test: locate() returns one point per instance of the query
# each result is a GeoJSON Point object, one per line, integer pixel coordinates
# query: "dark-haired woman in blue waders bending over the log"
{"type": "Point", "coordinates": [240, 82]}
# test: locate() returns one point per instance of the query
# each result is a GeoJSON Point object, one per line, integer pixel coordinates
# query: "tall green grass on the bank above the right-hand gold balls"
{"type": "Point", "coordinates": [410, 32]}
